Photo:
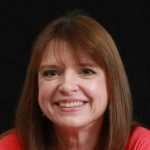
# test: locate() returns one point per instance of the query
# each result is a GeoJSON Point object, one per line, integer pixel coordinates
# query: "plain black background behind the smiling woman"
{"type": "Point", "coordinates": [21, 21]}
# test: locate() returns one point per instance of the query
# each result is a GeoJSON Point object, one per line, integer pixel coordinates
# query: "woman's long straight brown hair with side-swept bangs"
{"type": "Point", "coordinates": [84, 34]}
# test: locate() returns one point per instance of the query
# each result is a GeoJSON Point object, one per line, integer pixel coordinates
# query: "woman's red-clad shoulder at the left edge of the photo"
{"type": "Point", "coordinates": [9, 141]}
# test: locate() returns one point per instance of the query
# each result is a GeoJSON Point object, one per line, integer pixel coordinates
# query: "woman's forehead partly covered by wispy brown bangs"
{"type": "Point", "coordinates": [62, 52]}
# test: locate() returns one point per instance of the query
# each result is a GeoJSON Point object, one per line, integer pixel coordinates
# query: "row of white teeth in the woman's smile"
{"type": "Point", "coordinates": [70, 104]}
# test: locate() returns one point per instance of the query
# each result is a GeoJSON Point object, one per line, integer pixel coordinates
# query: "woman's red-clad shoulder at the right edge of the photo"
{"type": "Point", "coordinates": [140, 139]}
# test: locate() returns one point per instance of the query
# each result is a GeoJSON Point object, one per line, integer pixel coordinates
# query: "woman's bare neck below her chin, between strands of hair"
{"type": "Point", "coordinates": [78, 138]}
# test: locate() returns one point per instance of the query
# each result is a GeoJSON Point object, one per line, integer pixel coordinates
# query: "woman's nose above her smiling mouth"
{"type": "Point", "coordinates": [68, 84]}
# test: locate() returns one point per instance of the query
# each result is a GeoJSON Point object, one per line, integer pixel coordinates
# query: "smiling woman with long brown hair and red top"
{"type": "Point", "coordinates": [76, 94]}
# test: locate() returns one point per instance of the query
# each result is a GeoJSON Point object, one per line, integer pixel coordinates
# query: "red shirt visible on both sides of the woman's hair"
{"type": "Point", "coordinates": [140, 140]}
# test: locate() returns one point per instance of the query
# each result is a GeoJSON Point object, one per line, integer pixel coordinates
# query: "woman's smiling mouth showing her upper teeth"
{"type": "Point", "coordinates": [71, 104]}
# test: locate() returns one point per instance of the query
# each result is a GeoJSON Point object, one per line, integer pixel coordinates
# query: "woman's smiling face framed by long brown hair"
{"type": "Point", "coordinates": [71, 93]}
